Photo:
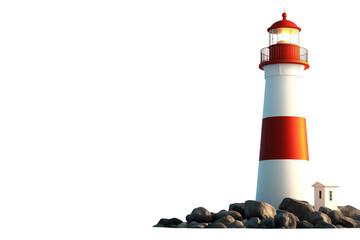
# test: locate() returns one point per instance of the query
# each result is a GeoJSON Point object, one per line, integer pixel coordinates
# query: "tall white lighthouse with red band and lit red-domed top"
{"type": "Point", "coordinates": [284, 154]}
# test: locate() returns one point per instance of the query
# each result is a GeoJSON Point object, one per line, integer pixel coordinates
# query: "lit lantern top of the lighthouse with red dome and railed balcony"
{"type": "Point", "coordinates": [284, 45]}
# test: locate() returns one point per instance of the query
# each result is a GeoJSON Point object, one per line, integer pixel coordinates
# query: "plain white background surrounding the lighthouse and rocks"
{"type": "Point", "coordinates": [115, 114]}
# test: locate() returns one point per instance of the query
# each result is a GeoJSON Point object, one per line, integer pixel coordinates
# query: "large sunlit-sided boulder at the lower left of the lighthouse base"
{"type": "Point", "coordinates": [258, 209]}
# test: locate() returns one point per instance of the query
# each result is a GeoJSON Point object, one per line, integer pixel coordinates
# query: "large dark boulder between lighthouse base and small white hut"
{"type": "Point", "coordinates": [301, 209]}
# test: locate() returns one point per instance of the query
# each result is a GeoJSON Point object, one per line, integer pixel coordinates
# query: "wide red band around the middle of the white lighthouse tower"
{"type": "Point", "coordinates": [284, 138]}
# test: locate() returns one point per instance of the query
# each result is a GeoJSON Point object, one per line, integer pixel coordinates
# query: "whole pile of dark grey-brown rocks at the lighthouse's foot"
{"type": "Point", "coordinates": [292, 213]}
